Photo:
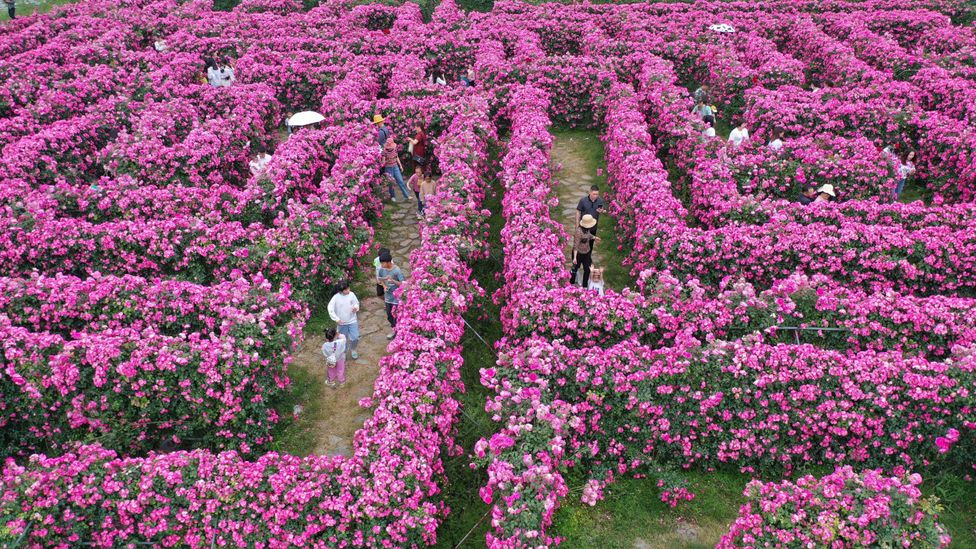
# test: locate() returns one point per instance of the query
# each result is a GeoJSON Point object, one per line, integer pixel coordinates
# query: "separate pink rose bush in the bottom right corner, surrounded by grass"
{"type": "Point", "coordinates": [842, 509]}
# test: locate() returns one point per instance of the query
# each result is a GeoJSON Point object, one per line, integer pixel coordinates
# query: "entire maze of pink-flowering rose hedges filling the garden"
{"type": "Point", "coordinates": [153, 290]}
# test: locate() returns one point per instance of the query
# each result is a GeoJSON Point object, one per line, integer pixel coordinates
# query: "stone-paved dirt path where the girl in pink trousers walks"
{"type": "Point", "coordinates": [337, 415]}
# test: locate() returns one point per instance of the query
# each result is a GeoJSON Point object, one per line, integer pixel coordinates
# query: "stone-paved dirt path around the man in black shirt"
{"type": "Point", "coordinates": [571, 151]}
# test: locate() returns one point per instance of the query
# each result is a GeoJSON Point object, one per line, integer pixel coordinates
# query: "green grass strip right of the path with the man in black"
{"type": "Point", "coordinates": [590, 148]}
